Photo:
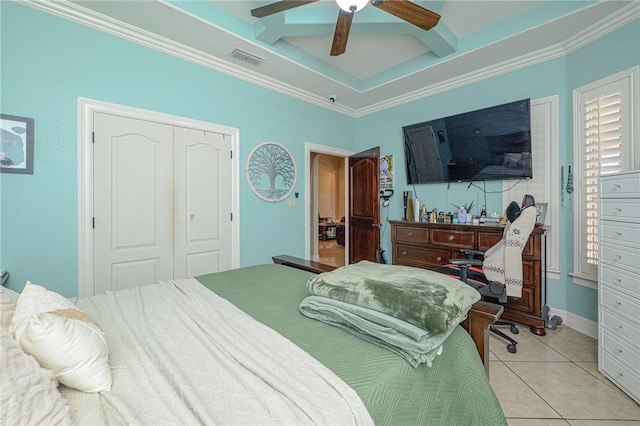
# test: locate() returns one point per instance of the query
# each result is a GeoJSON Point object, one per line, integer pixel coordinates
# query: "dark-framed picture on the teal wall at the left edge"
{"type": "Point", "coordinates": [16, 144]}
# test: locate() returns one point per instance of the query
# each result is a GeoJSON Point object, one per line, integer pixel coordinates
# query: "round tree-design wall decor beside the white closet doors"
{"type": "Point", "coordinates": [271, 171]}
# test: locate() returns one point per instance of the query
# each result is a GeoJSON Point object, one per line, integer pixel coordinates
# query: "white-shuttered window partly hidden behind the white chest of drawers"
{"type": "Point", "coordinates": [603, 144]}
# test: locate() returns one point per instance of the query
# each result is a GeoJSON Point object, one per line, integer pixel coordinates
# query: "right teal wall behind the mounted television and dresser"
{"type": "Point", "coordinates": [608, 55]}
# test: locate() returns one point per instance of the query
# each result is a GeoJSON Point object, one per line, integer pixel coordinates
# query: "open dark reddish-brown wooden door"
{"type": "Point", "coordinates": [364, 206]}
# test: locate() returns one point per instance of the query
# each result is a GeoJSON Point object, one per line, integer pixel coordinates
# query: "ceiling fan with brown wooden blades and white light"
{"type": "Point", "coordinates": [403, 9]}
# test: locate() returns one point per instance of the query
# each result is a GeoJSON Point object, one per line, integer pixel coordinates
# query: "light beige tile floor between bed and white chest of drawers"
{"type": "Point", "coordinates": [554, 380]}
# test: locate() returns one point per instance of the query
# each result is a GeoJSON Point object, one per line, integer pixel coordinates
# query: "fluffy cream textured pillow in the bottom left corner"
{"type": "Point", "coordinates": [29, 392]}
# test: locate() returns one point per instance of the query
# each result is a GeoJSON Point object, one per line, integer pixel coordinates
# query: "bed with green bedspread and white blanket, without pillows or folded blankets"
{"type": "Point", "coordinates": [454, 390]}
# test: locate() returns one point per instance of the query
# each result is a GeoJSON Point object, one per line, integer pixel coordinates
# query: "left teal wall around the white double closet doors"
{"type": "Point", "coordinates": [48, 62]}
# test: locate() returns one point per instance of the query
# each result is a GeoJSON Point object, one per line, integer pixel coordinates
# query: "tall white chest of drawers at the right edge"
{"type": "Point", "coordinates": [619, 281]}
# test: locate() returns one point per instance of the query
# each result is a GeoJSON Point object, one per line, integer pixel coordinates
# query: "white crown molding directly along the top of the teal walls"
{"type": "Point", "coordinates": [72, 12]}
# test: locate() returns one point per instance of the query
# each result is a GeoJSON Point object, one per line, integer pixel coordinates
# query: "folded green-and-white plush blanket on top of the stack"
{"type": "Point", "coordinates": [427, 299]}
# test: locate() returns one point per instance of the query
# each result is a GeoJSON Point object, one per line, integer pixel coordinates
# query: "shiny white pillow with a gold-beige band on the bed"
{"type": "Point", "coordinates": [62, 338]}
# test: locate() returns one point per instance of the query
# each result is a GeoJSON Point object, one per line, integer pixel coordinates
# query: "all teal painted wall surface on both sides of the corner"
{"type": "Point", "coordinates": [48, 62]}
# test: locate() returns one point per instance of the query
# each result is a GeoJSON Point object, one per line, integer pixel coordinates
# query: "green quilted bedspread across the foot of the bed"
{"type": "Point", "coordinates": [454, 391]}
